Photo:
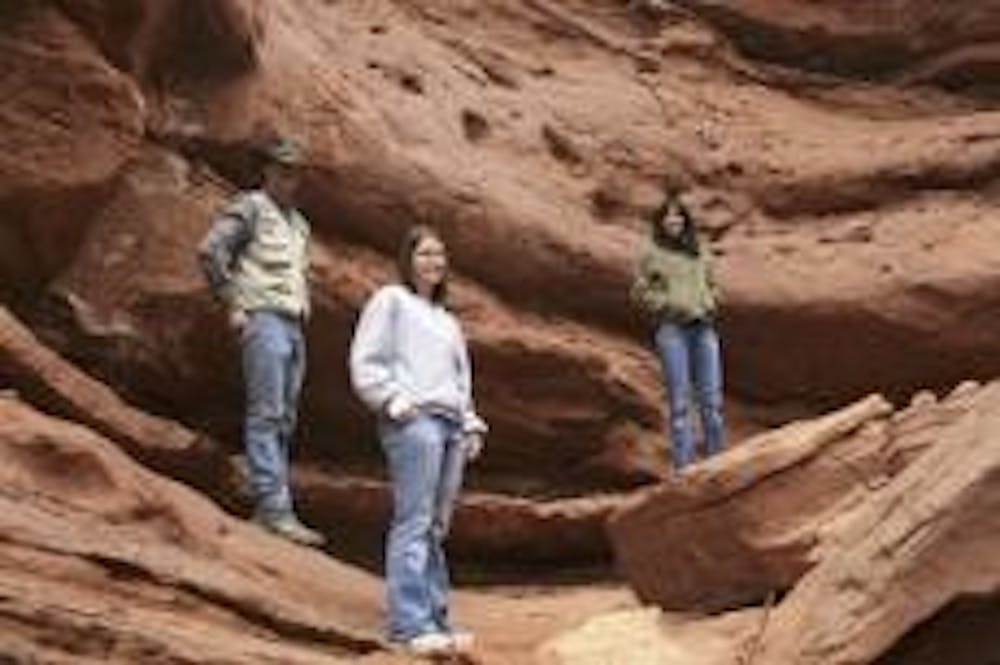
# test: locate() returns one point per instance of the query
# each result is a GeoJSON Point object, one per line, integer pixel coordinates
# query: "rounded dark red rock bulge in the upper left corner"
{"type": "Point", "coordinates": [68, 121]}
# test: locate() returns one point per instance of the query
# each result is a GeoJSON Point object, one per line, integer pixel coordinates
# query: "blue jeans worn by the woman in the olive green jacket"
{"type": "Point", "coordinates": [690, 358]}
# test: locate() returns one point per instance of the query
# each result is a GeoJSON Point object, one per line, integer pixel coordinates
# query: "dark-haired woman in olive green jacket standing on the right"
{"type": "Point", "coordinates": [674, 288]}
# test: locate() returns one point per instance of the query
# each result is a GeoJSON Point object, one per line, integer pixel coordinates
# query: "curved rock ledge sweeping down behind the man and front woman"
{"type": "Point", "coordinates": [351, 510]}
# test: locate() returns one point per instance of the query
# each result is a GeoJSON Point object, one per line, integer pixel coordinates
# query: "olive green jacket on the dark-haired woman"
{"type": "Point", "coordinates": [673, 284]}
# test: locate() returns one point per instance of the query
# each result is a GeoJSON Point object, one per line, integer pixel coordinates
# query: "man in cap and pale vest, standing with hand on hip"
{"type": "Point", "coordinates": [255, 258]}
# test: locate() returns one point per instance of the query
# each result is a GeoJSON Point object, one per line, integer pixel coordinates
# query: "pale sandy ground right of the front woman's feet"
{"type": "Point", "coordinates": [591, 625]}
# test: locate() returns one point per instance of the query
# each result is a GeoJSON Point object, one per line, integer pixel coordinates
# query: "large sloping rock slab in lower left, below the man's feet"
{"type": "Point", "coordinates": [104, 561]}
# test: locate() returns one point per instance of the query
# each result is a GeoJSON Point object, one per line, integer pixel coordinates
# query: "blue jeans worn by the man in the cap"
{"type": "Point", "coordinates": [274, 363]}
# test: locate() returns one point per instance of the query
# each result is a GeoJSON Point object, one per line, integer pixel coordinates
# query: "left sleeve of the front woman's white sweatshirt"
{"type": "Point", "coordinates": [371, 352]}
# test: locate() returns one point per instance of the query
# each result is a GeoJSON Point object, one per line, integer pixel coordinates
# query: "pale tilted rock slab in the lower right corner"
{"type": "Point", "coordinates": [919, 556]}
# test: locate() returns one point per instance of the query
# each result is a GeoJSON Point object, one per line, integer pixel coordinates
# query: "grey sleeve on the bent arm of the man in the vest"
{"type": "Point", "coordinates": [229, 235]}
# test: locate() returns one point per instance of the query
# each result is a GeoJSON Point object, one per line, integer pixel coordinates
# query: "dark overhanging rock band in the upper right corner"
{"type": "Point", "coordinates": [948, 45]}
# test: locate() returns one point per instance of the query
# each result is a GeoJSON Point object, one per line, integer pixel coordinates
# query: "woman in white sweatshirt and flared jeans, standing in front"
{"type": "Point", "coordinates": [410, 365]}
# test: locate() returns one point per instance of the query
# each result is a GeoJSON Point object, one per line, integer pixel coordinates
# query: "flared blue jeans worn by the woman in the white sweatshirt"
{"type": "Point", "coordinates": [426, 463]}
